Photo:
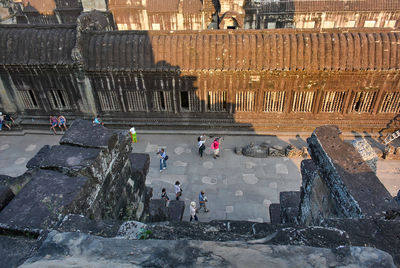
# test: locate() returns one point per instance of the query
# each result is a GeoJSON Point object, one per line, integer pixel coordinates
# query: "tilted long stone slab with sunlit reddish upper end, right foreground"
{"type": "Point", "coordinates": [355, 187]}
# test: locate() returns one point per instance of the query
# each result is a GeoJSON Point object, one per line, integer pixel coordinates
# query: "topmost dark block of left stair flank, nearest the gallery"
{"type": "Point", "coordinates": [87, 134]}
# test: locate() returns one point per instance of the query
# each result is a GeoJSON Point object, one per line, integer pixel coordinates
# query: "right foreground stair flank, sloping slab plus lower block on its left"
{"type": "Point", "coordinates": [341, 185]}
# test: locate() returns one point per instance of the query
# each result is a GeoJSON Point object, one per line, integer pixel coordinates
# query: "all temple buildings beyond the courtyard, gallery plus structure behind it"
{"type": "Point", "coordinates": [286, 78]}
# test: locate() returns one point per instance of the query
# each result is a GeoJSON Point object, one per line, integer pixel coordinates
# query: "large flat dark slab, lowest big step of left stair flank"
{"type": "Point", "coordinates": [39, 203]}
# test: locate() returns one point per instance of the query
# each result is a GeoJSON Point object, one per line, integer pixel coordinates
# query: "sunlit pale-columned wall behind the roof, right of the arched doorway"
{"type": "Point", "coordinates": [321, 14]}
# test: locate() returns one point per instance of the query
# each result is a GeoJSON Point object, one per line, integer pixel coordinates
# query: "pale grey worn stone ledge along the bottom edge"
{"type": "Point", "coordinates": [102, 252]}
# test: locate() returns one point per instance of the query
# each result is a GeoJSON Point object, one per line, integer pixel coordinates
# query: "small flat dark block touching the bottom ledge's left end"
{"type": "Point", "coordinates": [80, 223]}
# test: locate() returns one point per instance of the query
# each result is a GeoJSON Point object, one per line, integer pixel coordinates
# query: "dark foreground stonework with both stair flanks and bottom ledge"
{"type": "Point", "coordinates": [340, 194]}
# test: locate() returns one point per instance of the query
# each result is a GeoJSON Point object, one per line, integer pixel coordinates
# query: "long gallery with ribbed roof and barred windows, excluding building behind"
{"type": "Point", "coordinates": [283, 80]}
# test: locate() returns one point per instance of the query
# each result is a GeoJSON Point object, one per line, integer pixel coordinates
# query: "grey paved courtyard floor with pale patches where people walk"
{"type": "Point", "coordinates": [237, 187]}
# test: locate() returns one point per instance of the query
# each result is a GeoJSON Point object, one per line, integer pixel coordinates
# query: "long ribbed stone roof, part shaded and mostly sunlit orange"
{"type": "Point", "coordinates": [283, 49]}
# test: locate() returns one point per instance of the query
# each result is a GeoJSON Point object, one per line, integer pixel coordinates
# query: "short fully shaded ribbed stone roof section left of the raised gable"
{"type": "Point", "coordinates": [36, 45]}
